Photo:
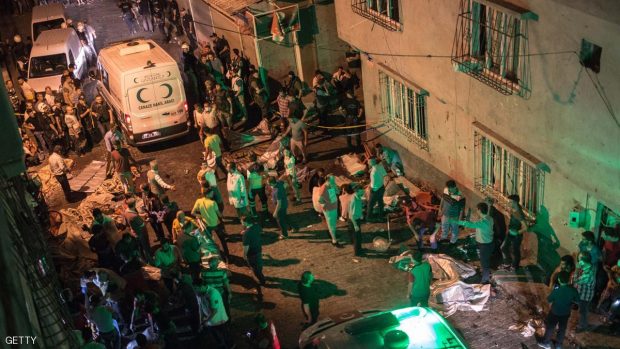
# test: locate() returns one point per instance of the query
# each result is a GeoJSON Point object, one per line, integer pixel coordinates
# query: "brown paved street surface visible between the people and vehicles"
{"type": "Point", "coordinates": [346, 283]}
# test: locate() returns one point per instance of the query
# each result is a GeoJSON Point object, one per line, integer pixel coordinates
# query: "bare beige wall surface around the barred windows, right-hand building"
{"type": "Point", "coordinates": [564, 123]}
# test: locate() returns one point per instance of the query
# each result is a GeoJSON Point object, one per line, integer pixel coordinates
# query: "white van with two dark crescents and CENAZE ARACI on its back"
{"type": "Point", "coordinates": [143, 86]}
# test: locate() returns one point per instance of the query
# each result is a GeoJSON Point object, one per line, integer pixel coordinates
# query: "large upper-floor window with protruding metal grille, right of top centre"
{"type": "Point", "coordinates": [490, 44]}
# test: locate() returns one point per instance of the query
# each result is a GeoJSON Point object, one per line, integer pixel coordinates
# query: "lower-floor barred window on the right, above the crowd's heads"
{"type": "Point", "coordinates": [500, 172]}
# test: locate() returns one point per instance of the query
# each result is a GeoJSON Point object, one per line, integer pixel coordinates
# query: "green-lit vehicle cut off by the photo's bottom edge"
{"type": "Point", "coordinates": [405, 328]}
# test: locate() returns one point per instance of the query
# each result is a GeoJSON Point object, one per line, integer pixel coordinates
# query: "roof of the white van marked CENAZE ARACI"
{"type": "Point", "coordinates": [116, 55]}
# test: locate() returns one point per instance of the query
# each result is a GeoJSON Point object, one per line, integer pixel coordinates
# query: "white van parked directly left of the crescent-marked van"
{"type": "Point", "coordinates": [52, 52]}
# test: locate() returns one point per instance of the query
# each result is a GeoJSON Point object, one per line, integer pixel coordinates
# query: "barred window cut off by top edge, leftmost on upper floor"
{"type": "Point", "coordinates": [385, 13]}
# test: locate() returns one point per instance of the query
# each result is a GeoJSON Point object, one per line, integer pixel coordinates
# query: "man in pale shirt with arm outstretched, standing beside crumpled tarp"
{"type": "Point", "coordinates": [484, 238]}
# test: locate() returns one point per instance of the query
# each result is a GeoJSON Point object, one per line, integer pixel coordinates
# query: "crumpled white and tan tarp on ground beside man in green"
{"type": "Point", "coordinates": [447, 289]}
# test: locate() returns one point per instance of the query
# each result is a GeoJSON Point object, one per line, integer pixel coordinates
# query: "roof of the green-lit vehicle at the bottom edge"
{"type": "Point", "coordinates": [424, 328]}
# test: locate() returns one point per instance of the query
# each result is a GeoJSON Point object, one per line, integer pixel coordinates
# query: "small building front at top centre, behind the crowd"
{"type": "Point", "coordinates": [247, 25]}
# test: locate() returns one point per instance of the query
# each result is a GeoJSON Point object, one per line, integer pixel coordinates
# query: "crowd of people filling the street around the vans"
{"type": "Point", "coordinates": [127, 297]}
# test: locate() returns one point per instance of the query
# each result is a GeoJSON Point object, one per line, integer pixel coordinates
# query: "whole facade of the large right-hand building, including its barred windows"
{"type": "Point", "coordinates": [505, 97]}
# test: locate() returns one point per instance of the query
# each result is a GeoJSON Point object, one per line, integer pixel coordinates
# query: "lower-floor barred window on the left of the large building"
{"type": "Point", "coordinates": [404, 108]}
